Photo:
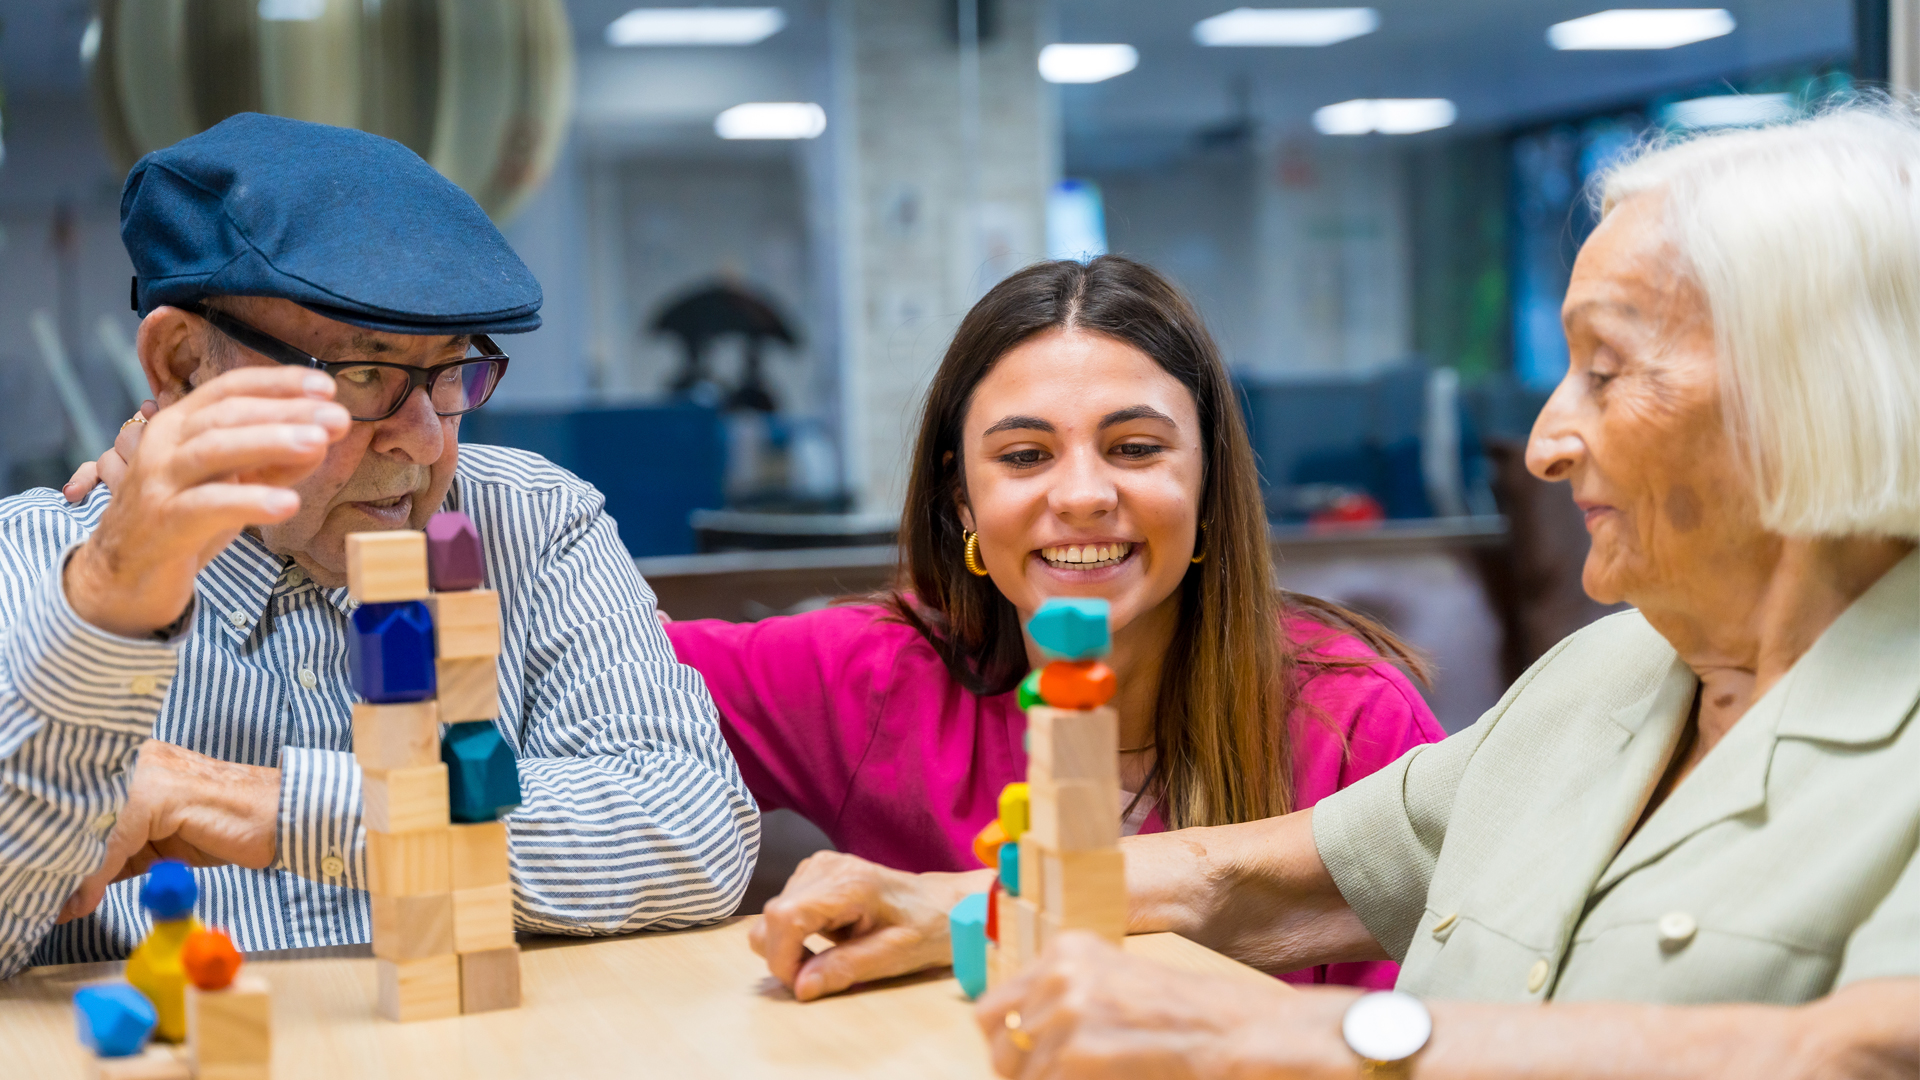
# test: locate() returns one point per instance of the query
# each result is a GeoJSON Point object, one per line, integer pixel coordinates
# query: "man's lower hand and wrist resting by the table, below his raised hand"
{"type": "Point", "coordinates": [185, 806]}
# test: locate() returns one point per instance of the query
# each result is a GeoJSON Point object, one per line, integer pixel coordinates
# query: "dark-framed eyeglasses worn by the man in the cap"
{"type": "Point", "coordinates": [373, 391]}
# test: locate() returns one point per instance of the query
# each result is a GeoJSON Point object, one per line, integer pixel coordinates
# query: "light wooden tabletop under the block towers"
{"type": "Point", "coordinates": [675, 1006]}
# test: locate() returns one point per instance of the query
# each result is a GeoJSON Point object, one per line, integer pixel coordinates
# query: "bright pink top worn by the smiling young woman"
{"type": "Point", "coordinates": [850, 720]}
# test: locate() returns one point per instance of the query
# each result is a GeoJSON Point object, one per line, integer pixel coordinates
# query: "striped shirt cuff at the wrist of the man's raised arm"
{"type": "Point", "coordinates": [72, 672]}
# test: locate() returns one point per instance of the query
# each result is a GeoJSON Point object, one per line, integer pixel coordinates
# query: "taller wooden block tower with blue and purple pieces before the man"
{"type": "Point", "coordinates": [425, 649]}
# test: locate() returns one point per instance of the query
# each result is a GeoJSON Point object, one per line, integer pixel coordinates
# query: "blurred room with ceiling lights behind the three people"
{"type": "Point", "coordinates": [757, 228]}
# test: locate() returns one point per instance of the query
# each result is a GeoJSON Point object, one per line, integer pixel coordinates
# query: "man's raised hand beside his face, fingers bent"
{"type": "Point", "coordinates": [206, 468]}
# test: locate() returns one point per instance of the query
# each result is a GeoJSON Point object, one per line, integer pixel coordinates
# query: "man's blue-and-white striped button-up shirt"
{"type": "Point", "coordinates": [635, 814]}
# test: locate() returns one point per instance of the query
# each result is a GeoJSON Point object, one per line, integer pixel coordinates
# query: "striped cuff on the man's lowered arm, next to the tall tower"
{"type": "Point", "coordinates": [322, 818]}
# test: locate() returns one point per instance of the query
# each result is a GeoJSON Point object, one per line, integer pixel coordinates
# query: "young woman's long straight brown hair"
{"type": "Point", "coordinates": [1232, 677]}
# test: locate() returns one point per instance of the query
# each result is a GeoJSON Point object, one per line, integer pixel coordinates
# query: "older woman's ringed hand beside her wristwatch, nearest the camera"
{"type": "Point", "coordinates": [1092, 1012]}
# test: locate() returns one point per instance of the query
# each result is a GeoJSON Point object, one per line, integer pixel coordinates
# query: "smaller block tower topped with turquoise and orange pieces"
{"type": "Point", "coordinates": [1057, 841]}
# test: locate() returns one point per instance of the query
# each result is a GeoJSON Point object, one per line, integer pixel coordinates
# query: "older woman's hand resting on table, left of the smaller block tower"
{"type": "Point", "coordinates": [884, 921]}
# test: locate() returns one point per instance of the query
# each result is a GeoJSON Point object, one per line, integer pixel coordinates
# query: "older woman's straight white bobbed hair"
{"type": "Point", "coordinates": [1806, 241]}
